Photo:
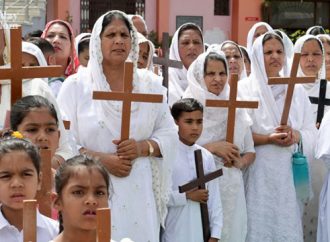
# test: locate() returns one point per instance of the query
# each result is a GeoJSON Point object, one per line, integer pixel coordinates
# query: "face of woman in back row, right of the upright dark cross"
{"type": "Point", "coordinates": [190, 46]}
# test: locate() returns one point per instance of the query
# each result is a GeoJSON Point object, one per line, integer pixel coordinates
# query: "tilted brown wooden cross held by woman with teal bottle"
{"type": "Point", "coordinates": [291, 81]}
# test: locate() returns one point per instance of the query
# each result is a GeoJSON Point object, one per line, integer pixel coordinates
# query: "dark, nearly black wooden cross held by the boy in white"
{"type": "Point", "coordinates": [199, 183]}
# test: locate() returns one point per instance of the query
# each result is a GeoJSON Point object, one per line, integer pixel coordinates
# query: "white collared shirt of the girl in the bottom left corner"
{"type": "Point", "coordinates": [47, 229]}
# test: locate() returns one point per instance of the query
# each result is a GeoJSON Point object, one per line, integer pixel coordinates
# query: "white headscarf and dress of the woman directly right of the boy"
{"type": "Point", "coordinates": [214, 129]}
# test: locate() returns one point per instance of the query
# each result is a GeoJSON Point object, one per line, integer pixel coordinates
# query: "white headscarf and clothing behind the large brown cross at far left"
{"type": "Point", "coordinates": [37, 86]}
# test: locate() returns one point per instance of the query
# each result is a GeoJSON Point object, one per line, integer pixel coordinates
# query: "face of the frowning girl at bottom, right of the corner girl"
{"type": "Point", "coordinates": [84, 192]}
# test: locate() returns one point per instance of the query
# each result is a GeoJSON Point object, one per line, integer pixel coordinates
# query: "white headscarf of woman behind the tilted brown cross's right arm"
{"type": "Point", "coordinates": [322, 72]}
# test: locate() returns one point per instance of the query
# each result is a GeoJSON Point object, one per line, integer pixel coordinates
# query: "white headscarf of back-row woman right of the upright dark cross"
{"type": "Point", "coordinates": [179, 76]}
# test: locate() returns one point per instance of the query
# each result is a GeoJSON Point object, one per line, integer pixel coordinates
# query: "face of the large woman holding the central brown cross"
{"type": "Point", "coordinates": [115, 42]}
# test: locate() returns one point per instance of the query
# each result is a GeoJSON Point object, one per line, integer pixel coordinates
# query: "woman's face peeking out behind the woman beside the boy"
{"type": "Point", "coordinates": [234, 58]}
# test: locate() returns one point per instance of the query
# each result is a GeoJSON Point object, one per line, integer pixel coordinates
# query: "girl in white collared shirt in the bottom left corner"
{"type": "Point", "coordinates": [20, 179]}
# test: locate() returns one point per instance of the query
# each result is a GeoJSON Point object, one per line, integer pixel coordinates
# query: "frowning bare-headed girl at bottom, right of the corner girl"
{"type": "Point", "coordinates": [82, 186]}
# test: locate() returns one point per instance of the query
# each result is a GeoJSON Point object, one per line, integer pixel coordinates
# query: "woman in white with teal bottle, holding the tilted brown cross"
{"type": "Point", "coordinates": [272, 205]}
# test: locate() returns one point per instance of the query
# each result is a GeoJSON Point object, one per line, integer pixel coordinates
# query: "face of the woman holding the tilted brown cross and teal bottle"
{"type": "Point", "coordinates": [273, 57]}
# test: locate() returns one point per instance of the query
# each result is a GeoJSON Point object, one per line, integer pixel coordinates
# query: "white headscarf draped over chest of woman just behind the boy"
{"type": "Point", "coordinates": [215, 119]}
